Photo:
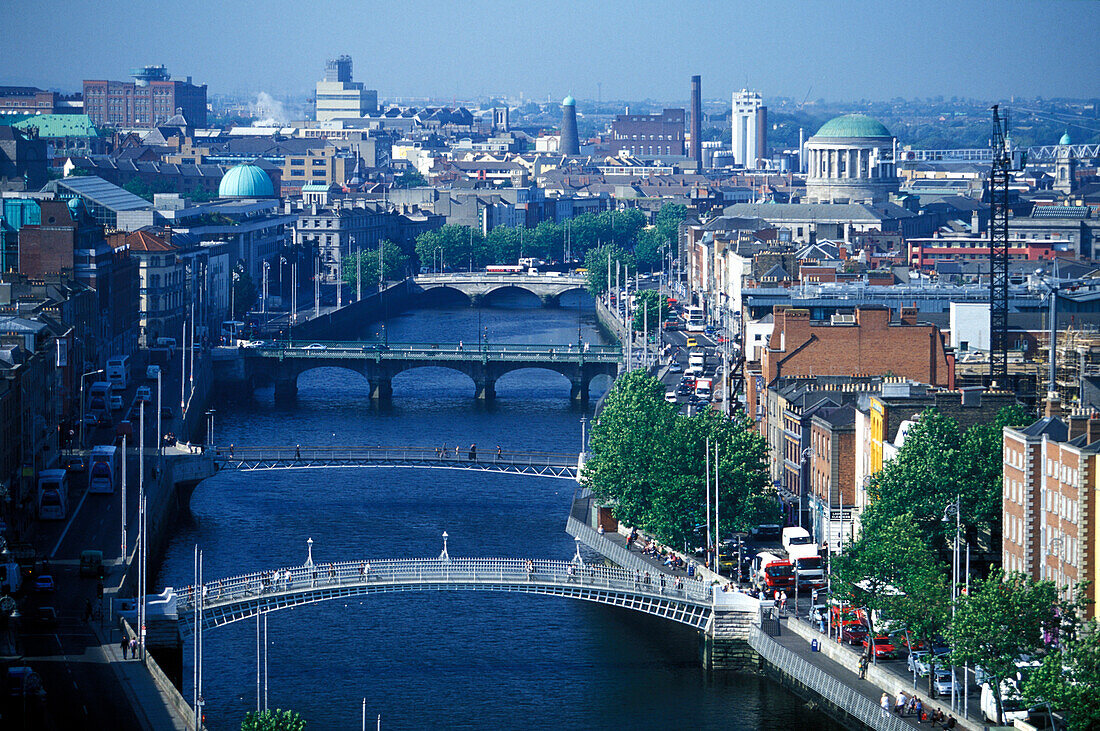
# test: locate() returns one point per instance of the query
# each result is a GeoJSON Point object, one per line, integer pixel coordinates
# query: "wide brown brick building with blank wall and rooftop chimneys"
{"type": "Point", "coordinates": [865, 344]}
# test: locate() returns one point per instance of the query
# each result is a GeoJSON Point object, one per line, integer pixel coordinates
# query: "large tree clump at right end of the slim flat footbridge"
{"type": "Point", "coordinates": [647, 460]}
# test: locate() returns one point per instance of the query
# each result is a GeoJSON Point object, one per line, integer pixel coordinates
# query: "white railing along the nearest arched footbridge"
{"type": "Point", "coordinates": [436, 571]}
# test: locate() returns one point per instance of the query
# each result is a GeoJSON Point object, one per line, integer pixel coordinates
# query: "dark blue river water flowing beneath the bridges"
{"type": "Point", "coordinates": [441, 660]}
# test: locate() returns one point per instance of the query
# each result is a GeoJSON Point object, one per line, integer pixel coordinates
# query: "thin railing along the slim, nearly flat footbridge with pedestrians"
{"type": "Point", "coordinates": [389, 455]}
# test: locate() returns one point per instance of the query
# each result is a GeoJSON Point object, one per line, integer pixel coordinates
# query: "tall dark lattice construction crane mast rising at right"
{"type": "Point", "coordinates": [1005, 162]}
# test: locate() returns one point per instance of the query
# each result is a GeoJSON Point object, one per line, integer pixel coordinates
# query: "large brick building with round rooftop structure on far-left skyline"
{"type": "Point", "coordinates": [148, 102]}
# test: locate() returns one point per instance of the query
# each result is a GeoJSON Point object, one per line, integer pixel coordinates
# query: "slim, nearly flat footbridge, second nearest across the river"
{"type": "Point", "coordinates": [249, 459]}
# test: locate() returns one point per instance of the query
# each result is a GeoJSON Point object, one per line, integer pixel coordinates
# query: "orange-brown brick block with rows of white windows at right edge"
{"type": "Point", "coordinates": [1050, 502]}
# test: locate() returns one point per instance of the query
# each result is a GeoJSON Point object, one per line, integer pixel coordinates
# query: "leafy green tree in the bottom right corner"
{"type": "Point", "coordinates": [1070, 680]}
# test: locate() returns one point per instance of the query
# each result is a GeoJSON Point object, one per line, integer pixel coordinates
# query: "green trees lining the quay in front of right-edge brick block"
{"type": "Point", "coordinates": [898, 568]}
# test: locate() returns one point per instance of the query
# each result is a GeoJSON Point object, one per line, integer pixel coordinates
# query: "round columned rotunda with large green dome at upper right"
{"type": "Point", "coordinates": [851, 161]}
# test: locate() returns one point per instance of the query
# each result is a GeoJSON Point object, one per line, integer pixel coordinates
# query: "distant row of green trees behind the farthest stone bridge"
{"type": "Point", "coordinates": [463, 248]}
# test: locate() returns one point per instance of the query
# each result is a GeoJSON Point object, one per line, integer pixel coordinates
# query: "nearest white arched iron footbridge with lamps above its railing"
{"type": "Point", "coordinates": [678, 599]}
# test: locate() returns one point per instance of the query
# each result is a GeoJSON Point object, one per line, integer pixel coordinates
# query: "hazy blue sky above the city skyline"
{"type": "Point", "coordinates": [838, 50]}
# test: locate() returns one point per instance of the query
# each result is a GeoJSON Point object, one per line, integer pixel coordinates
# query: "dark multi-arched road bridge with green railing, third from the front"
{"type": "Point", "coordinates": [379, 362]}
